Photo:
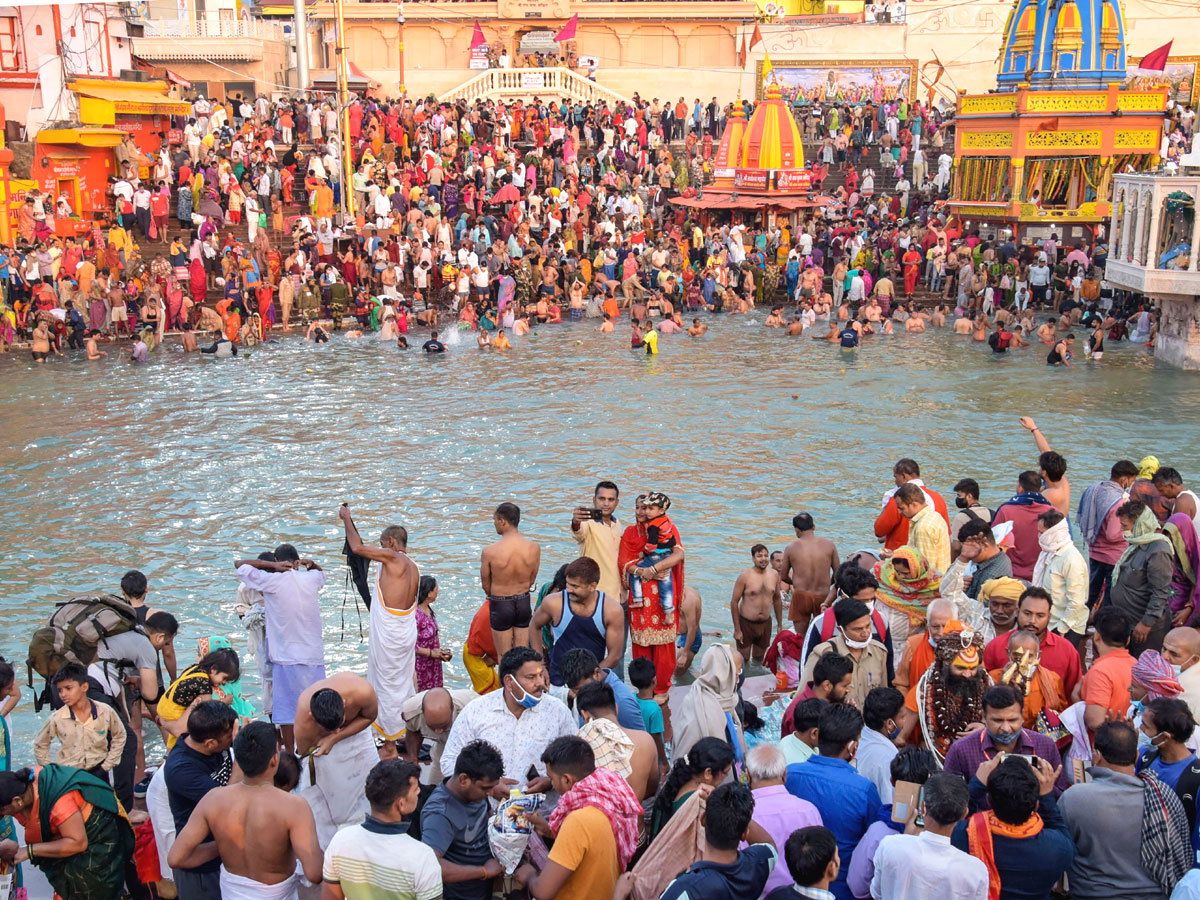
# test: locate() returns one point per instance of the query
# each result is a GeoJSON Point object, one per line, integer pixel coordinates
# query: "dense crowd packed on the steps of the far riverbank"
{"type": "Point", "coordinates": [499, 218]}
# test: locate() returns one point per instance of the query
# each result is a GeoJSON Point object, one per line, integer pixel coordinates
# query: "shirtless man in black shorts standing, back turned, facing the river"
{"type": "Point", "coordinates": [508, 571]}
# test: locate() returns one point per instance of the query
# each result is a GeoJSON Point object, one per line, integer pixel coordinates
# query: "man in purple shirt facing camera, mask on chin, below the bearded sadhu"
{"type": "Point", "coordinates": [1004, 715]}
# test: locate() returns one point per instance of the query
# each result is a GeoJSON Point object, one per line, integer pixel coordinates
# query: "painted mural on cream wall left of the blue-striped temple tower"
{"type": "Point", "coordinates": [838, 81]}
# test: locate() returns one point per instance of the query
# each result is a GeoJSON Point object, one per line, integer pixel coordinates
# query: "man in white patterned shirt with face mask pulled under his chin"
{"type": "Point", "coordinates": [520, 719]}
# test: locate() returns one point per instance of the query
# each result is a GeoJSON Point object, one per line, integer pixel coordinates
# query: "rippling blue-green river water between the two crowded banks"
{"type": "Point", "coordinates": [183, 465]}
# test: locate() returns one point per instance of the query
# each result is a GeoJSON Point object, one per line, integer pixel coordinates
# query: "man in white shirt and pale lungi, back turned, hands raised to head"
{"type": "Point", "coordinates": [291, 589]}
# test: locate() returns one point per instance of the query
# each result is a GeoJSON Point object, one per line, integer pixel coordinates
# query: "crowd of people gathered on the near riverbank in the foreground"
{"type": "Point", "coordinates": [976, 707]}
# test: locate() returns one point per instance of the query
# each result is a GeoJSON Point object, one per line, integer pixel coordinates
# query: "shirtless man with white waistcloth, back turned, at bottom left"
{"type": "Point", "coordinates": [259, 831]}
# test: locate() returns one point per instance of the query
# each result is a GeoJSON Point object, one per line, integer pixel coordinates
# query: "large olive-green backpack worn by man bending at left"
{"type": "Point", "coordinates": [74, 634]}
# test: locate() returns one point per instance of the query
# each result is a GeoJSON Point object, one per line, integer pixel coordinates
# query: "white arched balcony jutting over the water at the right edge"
{"type": "Point", "coordinates": [1155, 235]}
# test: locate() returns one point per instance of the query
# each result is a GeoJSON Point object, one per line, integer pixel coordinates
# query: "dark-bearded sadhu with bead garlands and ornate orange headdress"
{"type": "Point", "coordinates": [950, 697]}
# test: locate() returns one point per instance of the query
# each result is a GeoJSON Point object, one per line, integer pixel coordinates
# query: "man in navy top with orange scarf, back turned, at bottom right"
{"type": "Point", "coordinates": [1023, 839]}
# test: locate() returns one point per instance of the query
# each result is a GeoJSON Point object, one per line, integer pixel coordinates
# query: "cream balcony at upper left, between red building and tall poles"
{"type": "Point", "coordinates": [179, 41]}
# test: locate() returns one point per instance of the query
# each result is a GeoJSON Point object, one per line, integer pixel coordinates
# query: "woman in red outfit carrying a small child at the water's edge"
{"type": "Point", "coordinates": [653, 632]}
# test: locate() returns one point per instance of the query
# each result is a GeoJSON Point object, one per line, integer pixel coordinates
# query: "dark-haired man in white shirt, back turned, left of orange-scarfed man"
{"type": "Point", "coordinates": [919, 867]}
